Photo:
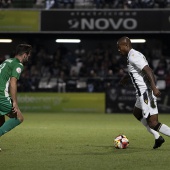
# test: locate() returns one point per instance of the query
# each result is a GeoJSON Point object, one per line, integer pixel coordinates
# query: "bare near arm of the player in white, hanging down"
{"type": "Point", "coordinates": [149, 73]}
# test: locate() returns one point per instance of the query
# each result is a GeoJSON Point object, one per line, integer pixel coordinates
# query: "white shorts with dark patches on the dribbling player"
{"type": "Point", "coordinates": [147, 103]}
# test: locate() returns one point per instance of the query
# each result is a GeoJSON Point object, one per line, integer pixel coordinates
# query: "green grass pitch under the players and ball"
{"type": "Point", "coordinates": [81, 142]}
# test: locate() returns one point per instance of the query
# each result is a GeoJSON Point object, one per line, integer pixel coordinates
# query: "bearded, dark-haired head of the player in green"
{"type": "Point", "coordinates": [24, 52]}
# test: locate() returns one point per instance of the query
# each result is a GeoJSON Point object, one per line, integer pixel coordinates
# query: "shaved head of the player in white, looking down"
{"type": "Point", "coordinates": [124, 45]}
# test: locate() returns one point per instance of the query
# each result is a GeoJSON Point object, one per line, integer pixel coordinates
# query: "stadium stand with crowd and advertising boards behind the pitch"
{"type": "Point", "coordinates": [70, 77]}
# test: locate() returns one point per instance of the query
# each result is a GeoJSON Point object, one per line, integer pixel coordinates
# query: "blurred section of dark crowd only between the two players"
{"type": "Point", "coordinates": [94, 66]}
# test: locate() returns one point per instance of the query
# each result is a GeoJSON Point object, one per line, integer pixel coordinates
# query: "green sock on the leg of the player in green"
{"type": "Point", "coordinates": [9, 125]}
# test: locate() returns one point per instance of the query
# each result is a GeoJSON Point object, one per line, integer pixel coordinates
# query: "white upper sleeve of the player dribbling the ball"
{"type": "Point", "coordinates": [138, 60]}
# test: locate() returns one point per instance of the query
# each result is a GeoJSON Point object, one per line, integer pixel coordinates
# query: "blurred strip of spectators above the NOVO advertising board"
{"type": "Point", "coordinates": [98, 4]}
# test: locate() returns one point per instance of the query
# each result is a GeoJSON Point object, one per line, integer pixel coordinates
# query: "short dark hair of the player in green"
{"type": "Point", "coordinates": [23, 48]}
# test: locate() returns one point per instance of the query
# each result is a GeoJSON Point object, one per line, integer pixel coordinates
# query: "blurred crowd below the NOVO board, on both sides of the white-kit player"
{"type": "Point", "coordinates": [100, 68]}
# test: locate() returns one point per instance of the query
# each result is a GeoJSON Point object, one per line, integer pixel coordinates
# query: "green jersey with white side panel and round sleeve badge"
{"type": "Point", "coordinates": [9, 68]}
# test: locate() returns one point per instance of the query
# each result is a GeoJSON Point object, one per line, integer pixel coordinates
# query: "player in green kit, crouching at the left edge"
{"type": "Point", "coordinates": [10, 71]}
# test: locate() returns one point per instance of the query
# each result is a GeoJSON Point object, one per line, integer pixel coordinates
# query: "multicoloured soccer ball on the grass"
{"type": "Point", "coordinates": [121, 142]}
